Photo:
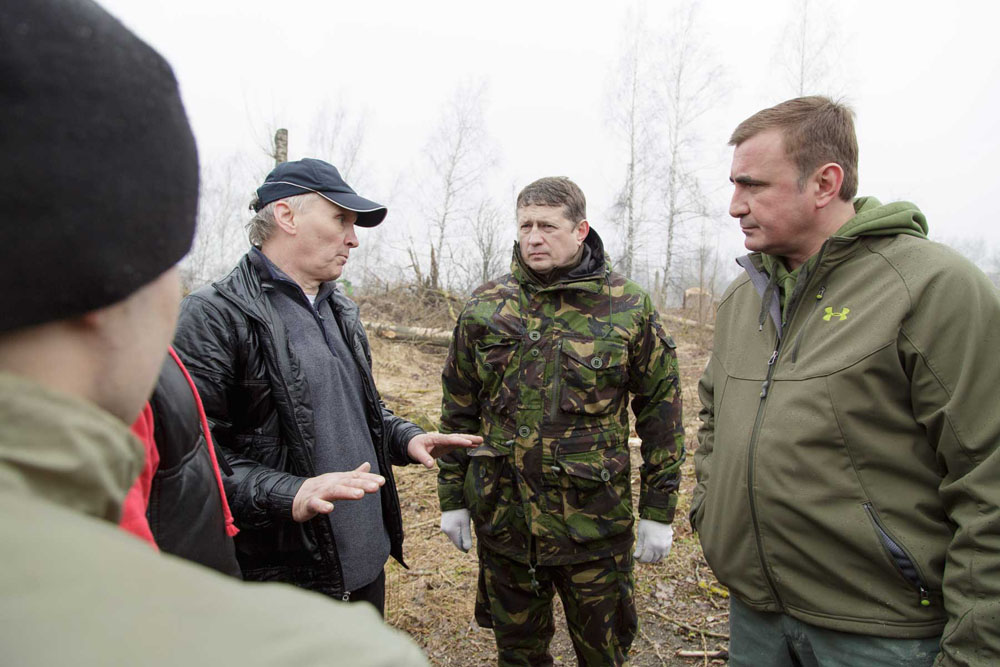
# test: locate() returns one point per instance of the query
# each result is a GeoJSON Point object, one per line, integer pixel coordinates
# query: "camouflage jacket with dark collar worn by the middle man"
{"type": "Point", "coordinates": [543, 372]}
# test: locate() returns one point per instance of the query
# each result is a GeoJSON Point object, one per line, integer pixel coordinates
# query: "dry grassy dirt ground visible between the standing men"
{"type": "Point", "coordinates": [681, 605]}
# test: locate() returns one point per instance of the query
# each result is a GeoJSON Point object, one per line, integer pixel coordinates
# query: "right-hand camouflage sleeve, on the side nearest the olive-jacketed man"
{"type": "Point", "coordinates": [655, 385]}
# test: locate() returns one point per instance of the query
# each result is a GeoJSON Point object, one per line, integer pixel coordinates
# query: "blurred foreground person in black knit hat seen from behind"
{"type": "Point", "coordinates": [99, 188]}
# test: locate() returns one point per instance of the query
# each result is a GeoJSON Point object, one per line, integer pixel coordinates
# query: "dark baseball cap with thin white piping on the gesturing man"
{"type": "Point", "coordinates": [322, 178]}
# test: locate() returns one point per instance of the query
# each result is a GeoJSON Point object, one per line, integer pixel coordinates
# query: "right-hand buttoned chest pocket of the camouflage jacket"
{"type": "Point", "coordinates": [594, 375]}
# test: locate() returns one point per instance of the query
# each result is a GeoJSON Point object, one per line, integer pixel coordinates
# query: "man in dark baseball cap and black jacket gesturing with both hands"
{"type": "Point", "coordinates": [282, 363]}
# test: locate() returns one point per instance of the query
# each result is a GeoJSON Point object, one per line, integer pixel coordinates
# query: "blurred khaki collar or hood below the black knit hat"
{"type": "Point", "coordinates": [65, 449]}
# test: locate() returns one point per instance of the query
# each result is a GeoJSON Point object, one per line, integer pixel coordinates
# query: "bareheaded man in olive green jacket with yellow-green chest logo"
{"type": "Point", "coordinates": [848, 461]}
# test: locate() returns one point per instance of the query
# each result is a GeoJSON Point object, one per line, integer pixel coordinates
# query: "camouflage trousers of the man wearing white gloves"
{"type": "Point", "coordinates": [516, 601]}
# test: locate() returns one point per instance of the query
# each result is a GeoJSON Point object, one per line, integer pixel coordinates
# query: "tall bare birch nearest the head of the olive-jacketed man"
{"type": "Point", "coordinates": [690, 86]}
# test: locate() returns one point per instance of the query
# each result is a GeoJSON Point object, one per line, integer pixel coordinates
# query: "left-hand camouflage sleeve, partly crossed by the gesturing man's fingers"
{"type": "Point", "coordinates": [459, 414]}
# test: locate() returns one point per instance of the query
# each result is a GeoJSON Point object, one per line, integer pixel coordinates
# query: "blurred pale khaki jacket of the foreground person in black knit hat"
{"type": "Point", "coordinates": [75, 589]}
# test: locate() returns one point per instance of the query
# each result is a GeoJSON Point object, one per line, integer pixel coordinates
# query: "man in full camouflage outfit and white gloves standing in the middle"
{"type": "Point", "coordinates": [541, 364]}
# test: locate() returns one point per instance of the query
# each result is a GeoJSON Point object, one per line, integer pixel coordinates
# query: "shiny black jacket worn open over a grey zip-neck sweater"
{"type": "Point", "coordinates": [237, 350]}
